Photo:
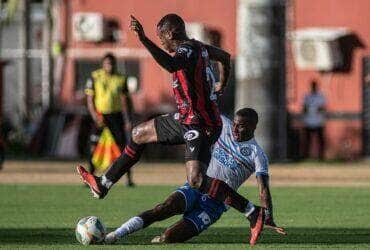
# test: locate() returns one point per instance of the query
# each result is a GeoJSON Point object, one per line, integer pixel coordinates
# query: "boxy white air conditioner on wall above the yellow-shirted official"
{"type": "Point", "coordinates": [88, 26]}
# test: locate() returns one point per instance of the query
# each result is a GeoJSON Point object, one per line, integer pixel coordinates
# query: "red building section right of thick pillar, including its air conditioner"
{"type": "Point", "coordinates": [329, 43]}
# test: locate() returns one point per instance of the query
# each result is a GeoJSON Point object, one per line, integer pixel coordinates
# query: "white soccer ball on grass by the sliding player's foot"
{"type": "Point", "coordinates": [90, 230]}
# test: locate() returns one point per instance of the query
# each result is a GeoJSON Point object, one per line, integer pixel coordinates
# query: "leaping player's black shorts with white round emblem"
{"type": "Point", "coordinates": [198, 139]}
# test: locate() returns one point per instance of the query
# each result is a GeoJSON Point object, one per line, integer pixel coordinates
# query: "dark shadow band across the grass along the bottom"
{"type": "Point", "coordinates": [230, 235]}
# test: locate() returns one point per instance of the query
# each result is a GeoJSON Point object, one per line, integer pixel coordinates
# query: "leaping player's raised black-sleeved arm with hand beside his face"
{"type": "Point", "coordinates": [168, 62]}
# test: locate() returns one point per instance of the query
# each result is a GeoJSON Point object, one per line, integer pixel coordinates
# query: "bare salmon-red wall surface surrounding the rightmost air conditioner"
{"type": "Point", "coordinates": [342, 90]}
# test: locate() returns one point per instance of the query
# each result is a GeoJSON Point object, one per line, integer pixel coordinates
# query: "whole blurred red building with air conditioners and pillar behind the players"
{"type": "Point", "coordinates": [48, 48]}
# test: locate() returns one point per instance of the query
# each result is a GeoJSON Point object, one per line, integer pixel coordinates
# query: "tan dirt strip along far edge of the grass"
{"type": "Point", "coordinates": [306, 174]}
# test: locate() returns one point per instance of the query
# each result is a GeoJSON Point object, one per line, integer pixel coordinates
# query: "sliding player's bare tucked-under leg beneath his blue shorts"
{"type": "Point", "coordinates": [181, 231]}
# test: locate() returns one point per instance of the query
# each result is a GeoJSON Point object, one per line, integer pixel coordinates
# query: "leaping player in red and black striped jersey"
{"type": "Point", "coordinates": [197, 124]}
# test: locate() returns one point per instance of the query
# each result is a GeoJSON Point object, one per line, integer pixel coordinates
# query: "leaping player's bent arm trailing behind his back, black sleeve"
{"type": "Point", "coordinates": [223, 57]}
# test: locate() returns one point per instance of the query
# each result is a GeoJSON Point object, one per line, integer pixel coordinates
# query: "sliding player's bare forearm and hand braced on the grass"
{"type": "Point", "coordinates": [266, 201]}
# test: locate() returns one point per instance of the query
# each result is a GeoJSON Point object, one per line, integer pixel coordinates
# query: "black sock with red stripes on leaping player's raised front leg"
{"type": "Point", "coordinates": [129, 157]}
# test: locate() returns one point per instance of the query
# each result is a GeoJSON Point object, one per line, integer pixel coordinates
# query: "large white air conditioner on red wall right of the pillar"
{"type": "Point", "coordinates": [318, 48]}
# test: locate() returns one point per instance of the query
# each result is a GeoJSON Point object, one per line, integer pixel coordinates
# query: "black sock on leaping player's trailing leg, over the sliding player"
{"type": "Point", "coordinates": [220, 191]}
